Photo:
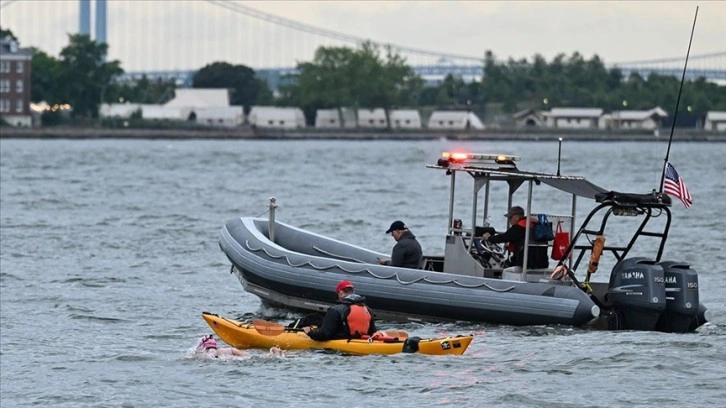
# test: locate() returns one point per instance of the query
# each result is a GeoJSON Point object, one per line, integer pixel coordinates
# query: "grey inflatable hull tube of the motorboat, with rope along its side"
{"type": "Point", "coordinates": [300, 269]}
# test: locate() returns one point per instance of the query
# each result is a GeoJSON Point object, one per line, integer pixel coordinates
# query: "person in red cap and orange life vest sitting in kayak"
{"type": "Point", "coordinates": [350, 318]}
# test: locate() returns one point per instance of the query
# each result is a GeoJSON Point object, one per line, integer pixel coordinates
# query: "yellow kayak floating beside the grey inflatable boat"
{"type": "Point", "coordinates": [244, 335]}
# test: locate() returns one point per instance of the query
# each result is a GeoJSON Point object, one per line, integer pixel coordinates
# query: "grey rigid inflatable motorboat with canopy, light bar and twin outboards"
{"type": "Point", "coordinates": [293, 268]}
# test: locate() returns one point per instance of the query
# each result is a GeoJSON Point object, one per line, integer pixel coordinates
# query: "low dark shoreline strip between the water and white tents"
{"type": "Point", "coordinates": [246, 133]}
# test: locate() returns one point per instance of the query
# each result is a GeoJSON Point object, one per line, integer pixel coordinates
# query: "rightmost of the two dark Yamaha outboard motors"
{"type": "Point", "coordinates": [681, 285]}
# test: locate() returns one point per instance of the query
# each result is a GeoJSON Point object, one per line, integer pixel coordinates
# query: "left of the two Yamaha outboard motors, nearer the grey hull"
{"type": "Point", "coordinates": [637, 291]}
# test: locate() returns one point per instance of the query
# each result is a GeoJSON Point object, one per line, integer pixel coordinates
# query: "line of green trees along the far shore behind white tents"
{"type": "Point", "coordinates": [372, 77]}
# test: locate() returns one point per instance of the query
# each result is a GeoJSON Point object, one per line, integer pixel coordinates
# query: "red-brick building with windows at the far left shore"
{"type": "Point", "coordinates": [15, 83]}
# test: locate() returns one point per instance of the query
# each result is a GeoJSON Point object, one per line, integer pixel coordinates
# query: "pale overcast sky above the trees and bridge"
{"type": "Point", "coordinates": [148, 35]}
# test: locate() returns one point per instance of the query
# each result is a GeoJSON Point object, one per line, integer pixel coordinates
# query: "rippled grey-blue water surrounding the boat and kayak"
{"type": "Point", "coordinates": [109, 254]}
